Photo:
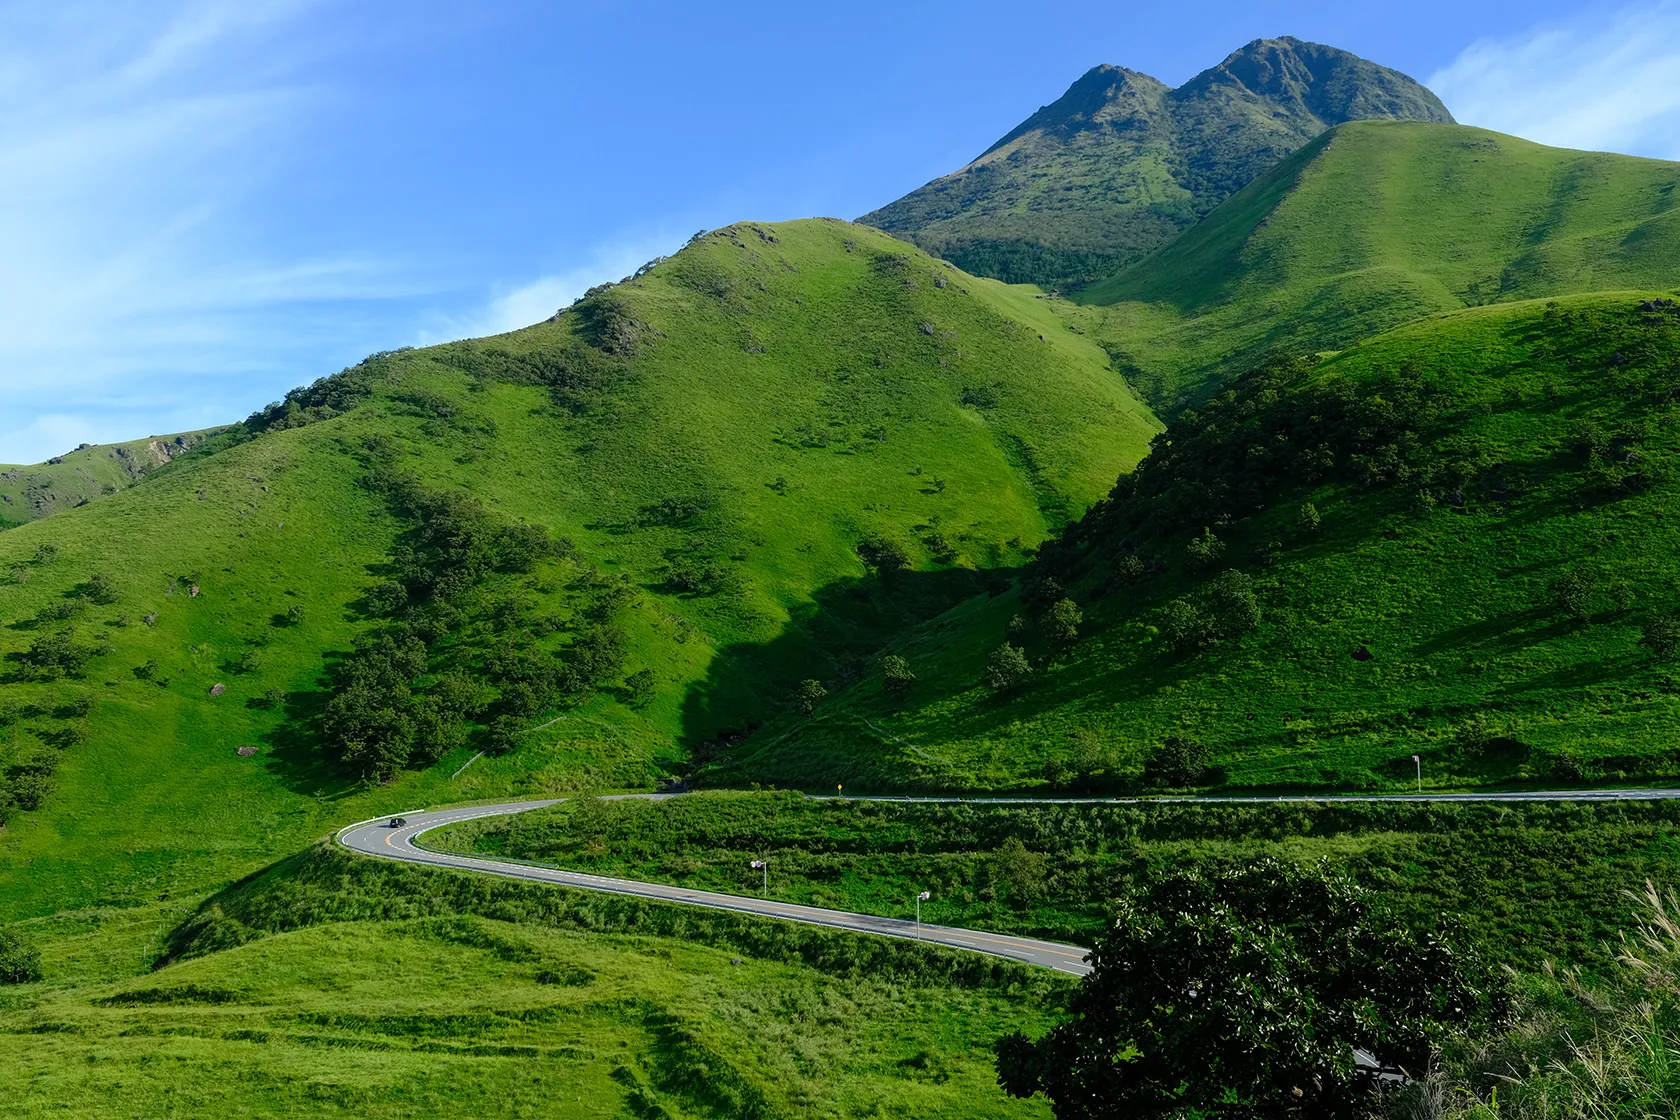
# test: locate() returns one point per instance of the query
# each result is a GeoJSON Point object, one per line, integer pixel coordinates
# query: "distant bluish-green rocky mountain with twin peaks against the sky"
{"type": "Point", "coordinates": [1121, 164]}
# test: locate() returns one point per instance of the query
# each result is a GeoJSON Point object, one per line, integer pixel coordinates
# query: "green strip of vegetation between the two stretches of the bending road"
{"type": "Point", "coordinates": [1533, 881]}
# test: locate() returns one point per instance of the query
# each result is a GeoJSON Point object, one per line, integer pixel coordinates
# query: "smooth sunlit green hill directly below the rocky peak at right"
{"type": "Point", "coordinates": [1373, 226]}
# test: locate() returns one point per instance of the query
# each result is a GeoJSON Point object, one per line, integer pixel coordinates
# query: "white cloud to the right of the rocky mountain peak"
{"type": "Point", "coordinates": [1604, 83]}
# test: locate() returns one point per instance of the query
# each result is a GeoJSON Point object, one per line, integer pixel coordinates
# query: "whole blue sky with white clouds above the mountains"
{"type": "Point", "coordinates": [207, 202]}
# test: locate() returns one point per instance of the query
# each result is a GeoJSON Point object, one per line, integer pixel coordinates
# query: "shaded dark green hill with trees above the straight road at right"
{"type": "Point", "coordinates": [1454, 542]}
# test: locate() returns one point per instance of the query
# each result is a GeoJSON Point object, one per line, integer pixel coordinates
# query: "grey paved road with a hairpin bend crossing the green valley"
{"type": "Point", "coordinates": [379, 839]}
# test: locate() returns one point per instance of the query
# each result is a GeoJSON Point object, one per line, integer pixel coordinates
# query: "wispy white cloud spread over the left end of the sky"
{"type": "Point", "coordinates": [134, 142]}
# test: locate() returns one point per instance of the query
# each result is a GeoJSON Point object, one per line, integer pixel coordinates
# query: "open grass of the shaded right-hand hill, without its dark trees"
{"type": "Point", "coordinates": [1452, 604]}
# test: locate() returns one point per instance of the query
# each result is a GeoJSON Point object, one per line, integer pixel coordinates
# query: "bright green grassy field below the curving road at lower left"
{"type": "Point", "coordinates": [473, 1017]}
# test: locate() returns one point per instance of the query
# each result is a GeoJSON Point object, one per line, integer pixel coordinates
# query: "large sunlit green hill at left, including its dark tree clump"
{"type": "Point", "coordinates": [567, 547]}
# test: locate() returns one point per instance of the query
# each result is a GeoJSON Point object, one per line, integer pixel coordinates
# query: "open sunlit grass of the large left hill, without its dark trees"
{"type": "Point", "coordinates": [774, 352]}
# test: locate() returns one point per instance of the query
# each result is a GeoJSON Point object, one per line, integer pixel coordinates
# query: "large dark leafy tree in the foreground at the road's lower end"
{"type": "Point", "coordinates": [1246, 993]}
